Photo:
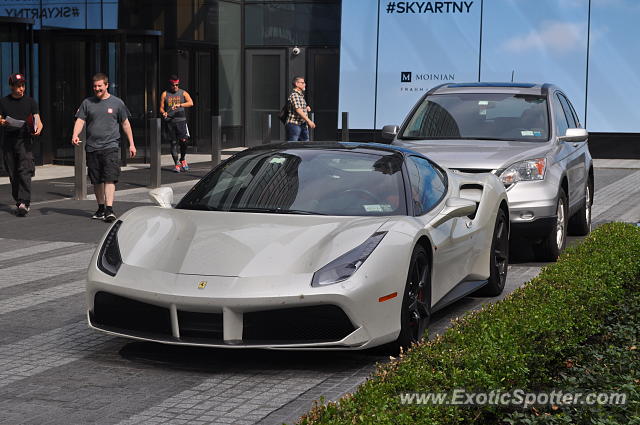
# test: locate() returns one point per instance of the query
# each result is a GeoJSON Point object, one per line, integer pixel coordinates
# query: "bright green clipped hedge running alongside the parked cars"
{"type": "Point", "coordinates": [511, 344]}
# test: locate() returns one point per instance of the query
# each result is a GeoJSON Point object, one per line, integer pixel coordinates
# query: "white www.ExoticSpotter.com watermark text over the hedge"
{"type": "Point", "coordinates": [517, 397]}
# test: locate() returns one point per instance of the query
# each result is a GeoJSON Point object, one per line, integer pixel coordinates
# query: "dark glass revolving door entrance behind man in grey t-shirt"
{"type": "Point", "coordinates": [71, 58]}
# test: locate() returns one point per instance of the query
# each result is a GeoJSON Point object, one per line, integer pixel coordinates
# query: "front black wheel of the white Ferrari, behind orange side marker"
{"type": "Point", "coordinates": [416, 301]}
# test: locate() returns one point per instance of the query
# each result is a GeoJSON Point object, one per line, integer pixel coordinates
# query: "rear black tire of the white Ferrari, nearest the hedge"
{"type": "Point", "coordinates": [499, 260]}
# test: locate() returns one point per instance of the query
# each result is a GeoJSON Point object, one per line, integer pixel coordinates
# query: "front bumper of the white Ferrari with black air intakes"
{"type": "Point", "coordinates": [232, 312]}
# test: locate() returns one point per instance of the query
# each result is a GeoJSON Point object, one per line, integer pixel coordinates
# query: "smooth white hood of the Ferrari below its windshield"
{"type": "Point", "coordinates": [237, 244]}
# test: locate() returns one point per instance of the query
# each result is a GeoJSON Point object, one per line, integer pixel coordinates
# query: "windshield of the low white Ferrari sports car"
{"type": "Point", "coordinates": [304, 181]}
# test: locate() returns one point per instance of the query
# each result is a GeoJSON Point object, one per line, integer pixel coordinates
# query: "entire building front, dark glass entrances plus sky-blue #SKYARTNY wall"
{"type": "Point", "coordinates": [370, 59]}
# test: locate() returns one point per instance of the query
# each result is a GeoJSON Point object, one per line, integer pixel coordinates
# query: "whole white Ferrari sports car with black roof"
{"type": "Point", "coordinates": [300, 246]}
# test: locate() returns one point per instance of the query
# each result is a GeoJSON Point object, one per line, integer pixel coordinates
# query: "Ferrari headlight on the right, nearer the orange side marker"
{"type": "Point", "coordinates": [347, 264]}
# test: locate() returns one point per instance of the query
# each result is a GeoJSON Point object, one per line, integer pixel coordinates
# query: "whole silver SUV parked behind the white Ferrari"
{"type": "Point", "coordinates": [529, 135]}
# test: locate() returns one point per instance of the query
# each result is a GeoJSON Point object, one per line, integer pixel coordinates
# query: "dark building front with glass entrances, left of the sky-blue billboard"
{"type": "Point", "coordinates": [235, 58]}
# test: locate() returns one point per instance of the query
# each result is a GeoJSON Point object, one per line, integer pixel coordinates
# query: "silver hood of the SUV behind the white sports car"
{"type": "Point", "coordinates": [476, 154]}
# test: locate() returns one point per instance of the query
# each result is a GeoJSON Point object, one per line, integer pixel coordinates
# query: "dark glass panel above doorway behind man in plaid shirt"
{"type": "Point", "coordinates": [292, 23]}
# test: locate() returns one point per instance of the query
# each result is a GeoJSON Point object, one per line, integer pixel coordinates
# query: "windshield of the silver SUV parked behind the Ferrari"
{"type": "Point", "coordinates": [495, 116]}
